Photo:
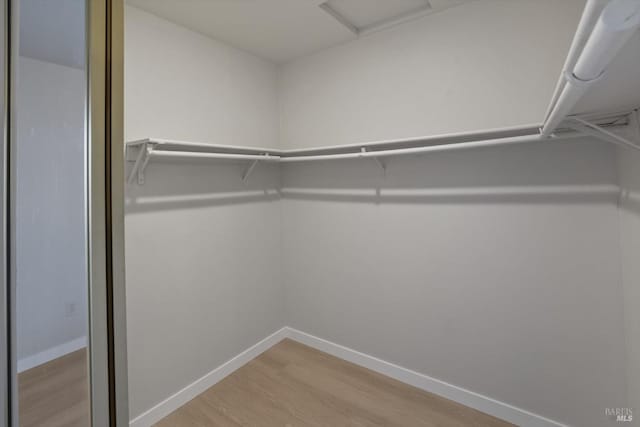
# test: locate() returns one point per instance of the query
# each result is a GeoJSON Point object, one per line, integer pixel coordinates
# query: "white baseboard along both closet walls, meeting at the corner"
{"type": "Point", "coordinates": [465, 397]}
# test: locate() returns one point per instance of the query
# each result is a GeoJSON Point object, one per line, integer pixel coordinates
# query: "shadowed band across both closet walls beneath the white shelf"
{"type": "Point", "coordinates": [555, 172]}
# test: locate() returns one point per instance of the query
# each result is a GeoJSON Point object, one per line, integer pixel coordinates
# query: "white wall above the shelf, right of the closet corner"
{"type": "Point", "coordinates": [464, 69]}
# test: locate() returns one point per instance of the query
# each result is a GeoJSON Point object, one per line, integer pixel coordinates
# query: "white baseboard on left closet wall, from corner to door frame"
{"type": "Point", "coordinates": [175, 401]}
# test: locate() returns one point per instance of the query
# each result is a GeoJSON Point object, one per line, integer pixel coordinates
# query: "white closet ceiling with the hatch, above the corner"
{"type": "Point", "coordinates": [281, 30]}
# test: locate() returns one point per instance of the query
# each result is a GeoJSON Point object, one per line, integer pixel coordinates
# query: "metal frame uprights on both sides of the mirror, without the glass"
{"type": "Point", "coordinates": [104, 165]}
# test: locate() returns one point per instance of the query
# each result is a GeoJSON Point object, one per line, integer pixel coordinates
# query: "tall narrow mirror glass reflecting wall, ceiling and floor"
{"type": "Point", "coordinates": [51, 299]}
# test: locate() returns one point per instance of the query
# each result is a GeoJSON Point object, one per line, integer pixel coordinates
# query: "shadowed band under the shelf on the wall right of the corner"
{"type": "Point", "coordinates": [575, 171]}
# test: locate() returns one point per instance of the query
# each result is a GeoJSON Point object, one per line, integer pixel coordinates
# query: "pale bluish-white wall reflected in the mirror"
{"type": "Point", "coordinates": [50, 228]}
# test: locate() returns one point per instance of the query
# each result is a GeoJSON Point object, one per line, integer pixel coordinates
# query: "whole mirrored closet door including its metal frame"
{"type": "Point", "coordinates": [59, 358]}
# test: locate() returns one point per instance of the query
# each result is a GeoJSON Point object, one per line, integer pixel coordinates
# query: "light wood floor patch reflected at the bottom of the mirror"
{"type": "Point", "coordinates": [55, 394]}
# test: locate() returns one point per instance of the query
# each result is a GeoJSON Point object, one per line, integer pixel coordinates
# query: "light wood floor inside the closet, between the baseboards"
{"type": "Point", "coordinates": [293, 385]}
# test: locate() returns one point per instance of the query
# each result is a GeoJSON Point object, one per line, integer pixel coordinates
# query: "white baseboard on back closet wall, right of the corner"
{"type": "Point", "coordinates": [465, 397]}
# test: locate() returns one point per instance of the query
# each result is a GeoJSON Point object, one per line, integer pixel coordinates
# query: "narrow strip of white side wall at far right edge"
{"type": "Point", "coordinates": [629, 162]}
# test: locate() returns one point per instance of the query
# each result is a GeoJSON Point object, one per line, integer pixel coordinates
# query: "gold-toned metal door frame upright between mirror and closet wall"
{"type": "Point", "coordinates": [105, 161]}
